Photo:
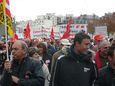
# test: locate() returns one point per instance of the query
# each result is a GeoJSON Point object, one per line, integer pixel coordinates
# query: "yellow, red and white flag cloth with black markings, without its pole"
{"type": "Point", "coordinates": [5, 13]}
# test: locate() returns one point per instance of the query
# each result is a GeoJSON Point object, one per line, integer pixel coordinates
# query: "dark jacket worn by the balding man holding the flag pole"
{"type": "Point", "coordinates": [29, 72]}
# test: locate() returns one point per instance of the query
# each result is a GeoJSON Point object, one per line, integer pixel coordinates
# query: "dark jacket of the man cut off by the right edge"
{"type": "Point", "coordinates": [106, 77]}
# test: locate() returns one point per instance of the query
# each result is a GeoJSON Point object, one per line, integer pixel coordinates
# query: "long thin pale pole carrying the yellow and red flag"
{"type": "Point", "coordinates": [6, 33]}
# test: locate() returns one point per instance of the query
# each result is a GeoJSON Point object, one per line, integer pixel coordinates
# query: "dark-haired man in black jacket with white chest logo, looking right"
{"type": "Point", "coordinates": [77, 68]}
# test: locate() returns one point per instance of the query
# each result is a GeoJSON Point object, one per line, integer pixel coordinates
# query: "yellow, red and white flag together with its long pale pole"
{"type": "Point", "coordinates": [6, 20]}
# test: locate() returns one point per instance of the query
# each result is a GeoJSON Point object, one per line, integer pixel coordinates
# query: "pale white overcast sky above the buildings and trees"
{"type": "Point", "coordinates": [30, 9]}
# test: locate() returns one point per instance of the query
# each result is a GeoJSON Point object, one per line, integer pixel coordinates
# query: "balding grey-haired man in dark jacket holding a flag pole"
{"type": "Point", "coordinates": [22, 71]}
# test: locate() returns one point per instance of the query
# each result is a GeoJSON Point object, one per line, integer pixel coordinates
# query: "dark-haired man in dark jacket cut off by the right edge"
{"type": "Point", "coordinates": [107, 74]}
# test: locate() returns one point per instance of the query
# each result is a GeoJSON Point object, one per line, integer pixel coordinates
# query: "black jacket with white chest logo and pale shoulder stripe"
{"type": "Point", "coordinates": [74, 70]}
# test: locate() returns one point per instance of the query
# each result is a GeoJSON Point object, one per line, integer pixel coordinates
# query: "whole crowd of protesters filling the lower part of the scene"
{"type": "Point", "coordinates": [81, 61]}
